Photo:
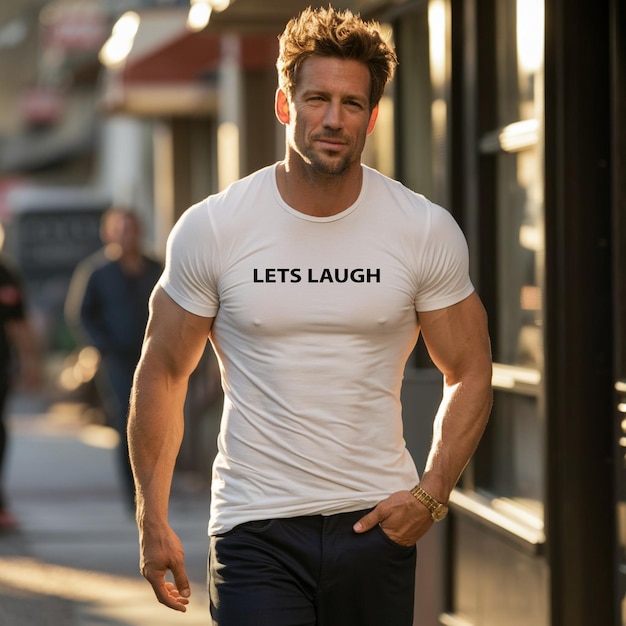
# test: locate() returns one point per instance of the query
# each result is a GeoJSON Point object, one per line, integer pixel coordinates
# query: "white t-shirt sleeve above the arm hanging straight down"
{"type": "Point", "coordinates": [190, 272]}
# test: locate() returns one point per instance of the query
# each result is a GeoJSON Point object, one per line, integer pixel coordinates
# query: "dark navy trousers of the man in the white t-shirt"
{"type": "Point", "coordinates": [310, 571]}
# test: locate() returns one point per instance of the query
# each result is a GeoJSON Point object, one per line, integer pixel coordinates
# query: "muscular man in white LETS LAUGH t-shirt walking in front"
{"type": "Point", "coordinates": [313, 279]}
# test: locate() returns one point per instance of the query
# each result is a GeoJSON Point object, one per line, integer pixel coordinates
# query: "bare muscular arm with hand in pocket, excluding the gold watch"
{"type": "Point", "coordinates": [458, 343]}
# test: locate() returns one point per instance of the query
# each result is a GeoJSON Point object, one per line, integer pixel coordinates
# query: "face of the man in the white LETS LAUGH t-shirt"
{"type": "Point", "coordinates": [329, 117]}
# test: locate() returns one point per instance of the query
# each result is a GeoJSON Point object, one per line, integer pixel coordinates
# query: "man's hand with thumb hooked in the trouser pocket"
{"type": "Point", "coordinates": [402, 518]}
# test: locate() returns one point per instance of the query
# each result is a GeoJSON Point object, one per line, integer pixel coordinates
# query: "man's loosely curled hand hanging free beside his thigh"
{"type": "Point", "coordinates": [160, 553]}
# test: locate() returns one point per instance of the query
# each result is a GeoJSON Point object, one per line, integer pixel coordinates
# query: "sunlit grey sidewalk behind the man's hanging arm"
{"type": "Point", "coordinates": [74, 562]}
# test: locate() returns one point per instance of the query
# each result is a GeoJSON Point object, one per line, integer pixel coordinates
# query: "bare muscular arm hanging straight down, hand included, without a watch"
{"type": "Point", "coordinates": [173, 345]}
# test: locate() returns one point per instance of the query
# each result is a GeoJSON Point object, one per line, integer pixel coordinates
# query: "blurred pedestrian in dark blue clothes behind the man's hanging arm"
{"type": "Point", "coordinates": [113, 311]}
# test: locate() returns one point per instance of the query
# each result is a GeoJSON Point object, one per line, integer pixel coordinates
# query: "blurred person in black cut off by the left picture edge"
{"type": "Point", "coordinates": [20, 360]}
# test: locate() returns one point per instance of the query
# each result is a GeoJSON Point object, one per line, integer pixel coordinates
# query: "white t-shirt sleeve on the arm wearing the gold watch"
{"type": "Point", "coordinates": [445, 264]}
